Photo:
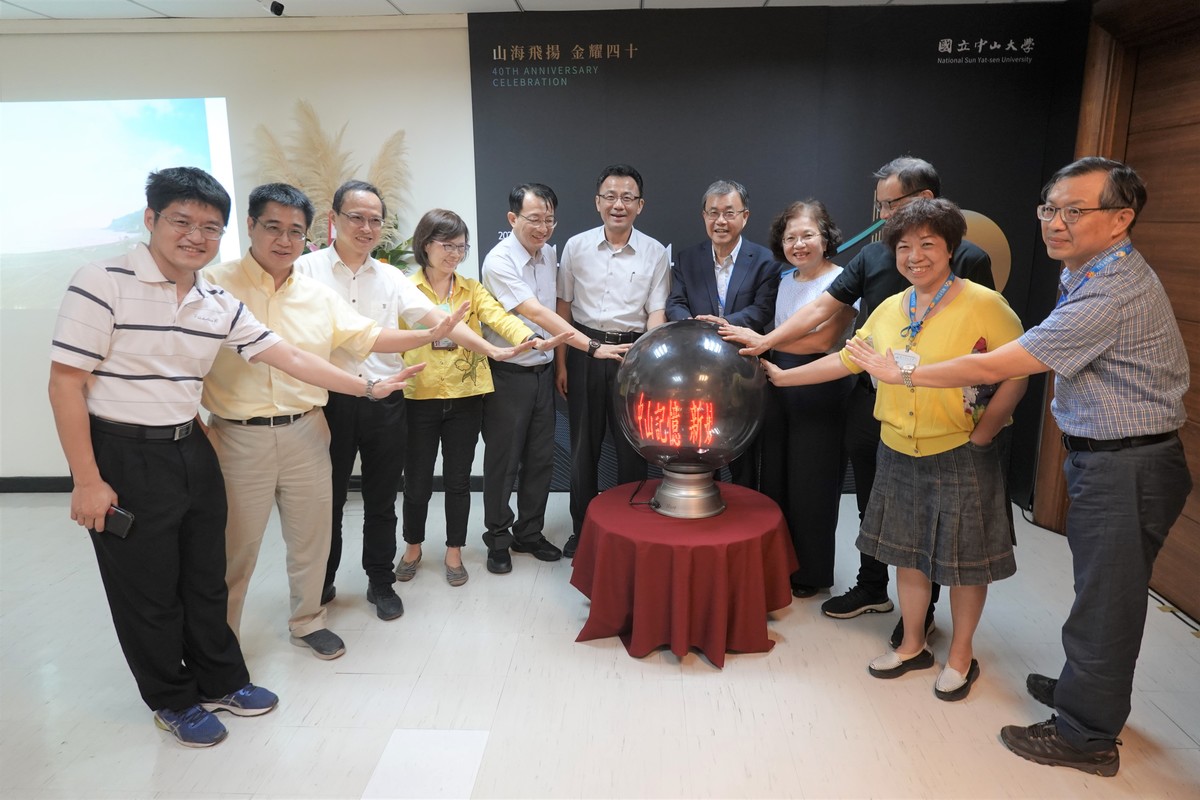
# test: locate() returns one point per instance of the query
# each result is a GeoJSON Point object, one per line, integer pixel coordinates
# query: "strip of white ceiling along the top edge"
{"type": "Point", "coordinates": [259, 9]}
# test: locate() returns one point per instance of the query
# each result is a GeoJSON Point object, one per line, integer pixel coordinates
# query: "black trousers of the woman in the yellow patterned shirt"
{"type": "Point", "coordinates": [453, 425]}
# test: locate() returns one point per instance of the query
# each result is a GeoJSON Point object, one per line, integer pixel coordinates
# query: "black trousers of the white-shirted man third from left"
{"type": "Point", "coordinates": [376, 432]}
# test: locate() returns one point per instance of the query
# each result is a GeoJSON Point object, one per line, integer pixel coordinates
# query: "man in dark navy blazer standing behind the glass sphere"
{"type": "Point", "coordinates": [727, 280]}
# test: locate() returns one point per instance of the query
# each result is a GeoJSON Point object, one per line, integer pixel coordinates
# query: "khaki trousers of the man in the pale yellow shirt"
{"type": "Point", "coordinates": [287, 467]}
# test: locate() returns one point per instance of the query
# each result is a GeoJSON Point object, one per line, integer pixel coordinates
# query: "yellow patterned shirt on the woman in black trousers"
{"type": "Point", "coordinates": [460, 372]}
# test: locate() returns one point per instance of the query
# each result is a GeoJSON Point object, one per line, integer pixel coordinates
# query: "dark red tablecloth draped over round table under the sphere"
{"type": "Point", "coordinates": [687, 584]}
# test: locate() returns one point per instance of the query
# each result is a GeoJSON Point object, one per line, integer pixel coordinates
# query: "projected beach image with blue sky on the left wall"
{"type": "Point", "coordinates": [75, 183]}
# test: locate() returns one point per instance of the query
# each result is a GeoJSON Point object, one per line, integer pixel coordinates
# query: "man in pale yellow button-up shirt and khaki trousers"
{"type": "Point", "coordinates": [272, 449]}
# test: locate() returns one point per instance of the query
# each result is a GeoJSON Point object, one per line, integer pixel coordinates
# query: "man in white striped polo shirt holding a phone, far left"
{"type": "Point", "coordinates": [134, 341]}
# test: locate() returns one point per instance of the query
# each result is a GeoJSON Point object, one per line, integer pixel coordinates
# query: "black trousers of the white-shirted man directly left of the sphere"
{"type": "Point", "coordinates": [592, 411]}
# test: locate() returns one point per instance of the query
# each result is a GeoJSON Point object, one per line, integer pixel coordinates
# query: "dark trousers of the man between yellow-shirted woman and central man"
{"type": "Point", "coordinates": [519, 450]}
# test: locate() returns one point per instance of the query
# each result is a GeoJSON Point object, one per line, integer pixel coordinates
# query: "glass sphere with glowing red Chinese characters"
{"type": "Point", "coordinates": [687, 399]}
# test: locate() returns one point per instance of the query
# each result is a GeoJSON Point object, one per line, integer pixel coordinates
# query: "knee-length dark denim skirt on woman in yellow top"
{"type": "Point", "coordinates": [945, 515]}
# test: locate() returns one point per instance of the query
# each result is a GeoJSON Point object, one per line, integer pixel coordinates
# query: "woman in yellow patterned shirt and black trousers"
{"type": "Point", "coordinates": [446, 407]}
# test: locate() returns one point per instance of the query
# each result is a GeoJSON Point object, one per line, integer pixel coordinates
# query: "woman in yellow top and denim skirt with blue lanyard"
{"type": "Point", "coordinates": [939, 508]}
